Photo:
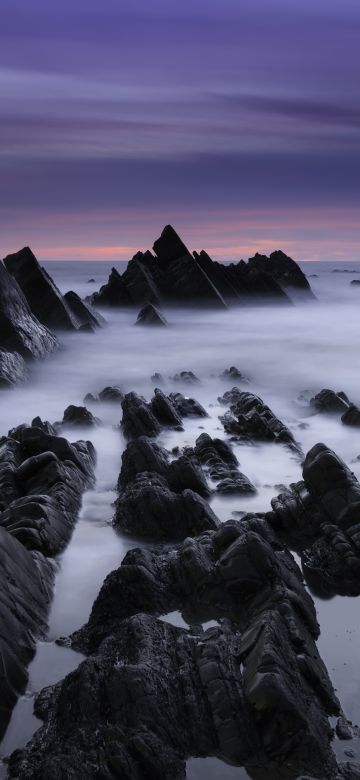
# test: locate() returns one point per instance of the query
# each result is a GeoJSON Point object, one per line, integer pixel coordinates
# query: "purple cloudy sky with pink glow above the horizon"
{"type": "Point", "coordinates": [237, 121]}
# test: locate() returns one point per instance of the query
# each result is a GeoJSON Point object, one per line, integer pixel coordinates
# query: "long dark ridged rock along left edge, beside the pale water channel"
{"type": "Point", "coordinates": [42, 478]}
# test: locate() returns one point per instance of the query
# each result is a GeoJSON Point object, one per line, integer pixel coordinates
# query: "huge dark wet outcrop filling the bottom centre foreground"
{"type": "Point", "coordinates": [252, 690]}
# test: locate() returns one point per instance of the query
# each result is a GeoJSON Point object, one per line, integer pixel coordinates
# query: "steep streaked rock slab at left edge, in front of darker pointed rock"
{"type": "Point", "coordinates": [20, 331]}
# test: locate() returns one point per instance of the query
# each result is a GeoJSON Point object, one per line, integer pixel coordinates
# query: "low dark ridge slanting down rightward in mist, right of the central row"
{"type": "Point", "coordinates": [250, 419]}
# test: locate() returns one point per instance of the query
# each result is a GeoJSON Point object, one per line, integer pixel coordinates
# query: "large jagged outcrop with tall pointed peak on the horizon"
{"type": "Point", "coordinates": [175, 276]}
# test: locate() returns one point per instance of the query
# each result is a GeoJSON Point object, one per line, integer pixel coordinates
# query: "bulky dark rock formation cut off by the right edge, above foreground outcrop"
{"type": "Point", "coordinates": [321, 516]}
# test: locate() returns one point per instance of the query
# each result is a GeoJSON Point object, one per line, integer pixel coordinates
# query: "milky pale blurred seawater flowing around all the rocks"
{"type": "Point", "coordinates": [284, 351]}
